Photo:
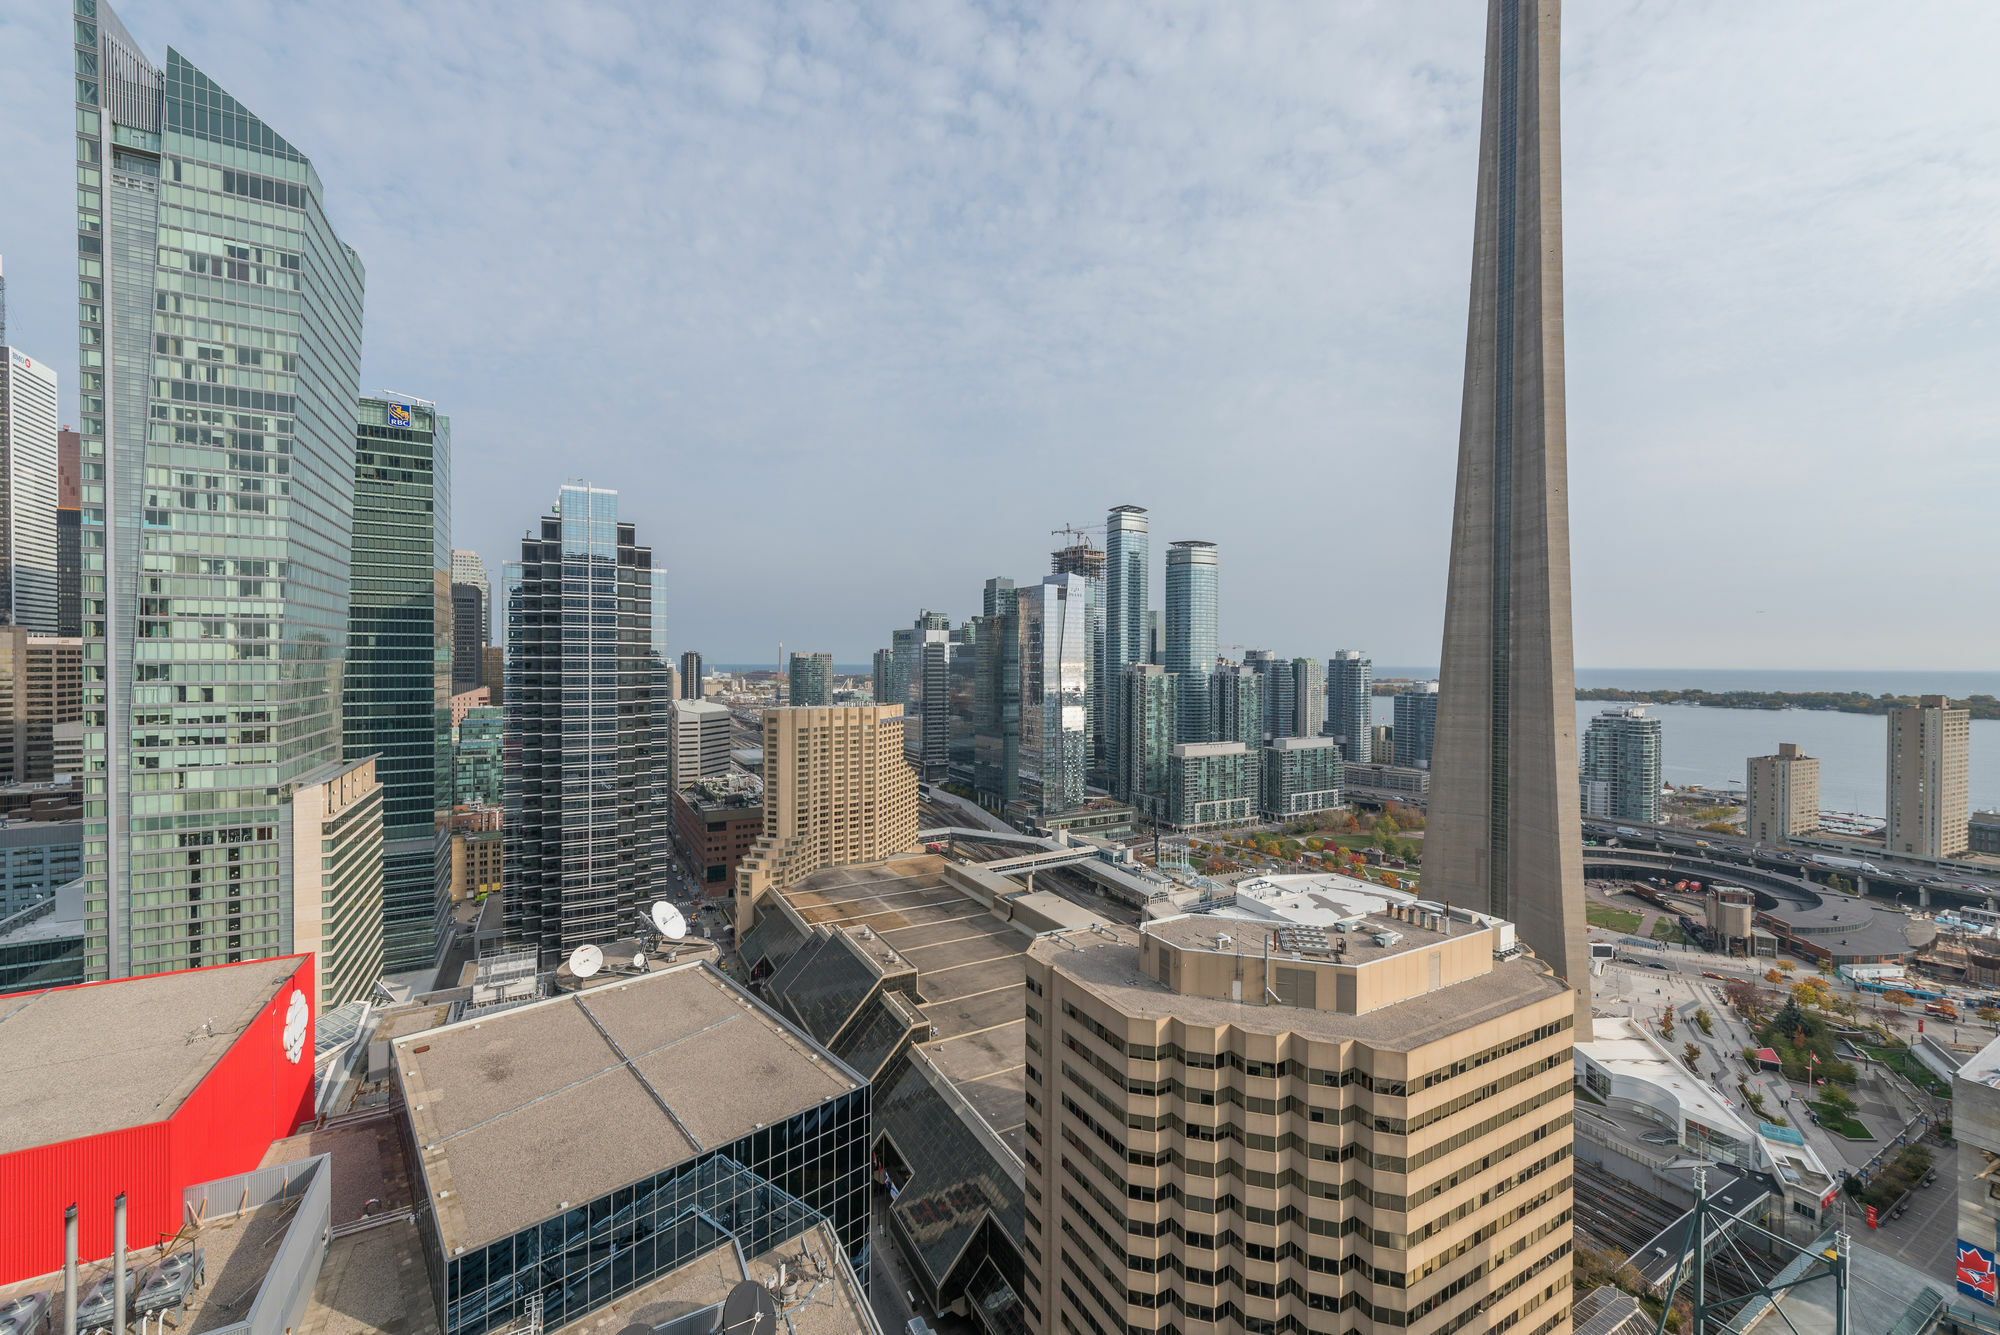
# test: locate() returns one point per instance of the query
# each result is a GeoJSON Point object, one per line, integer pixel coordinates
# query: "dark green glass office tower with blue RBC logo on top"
{"type": "Point", "coordinates": [397, 688]}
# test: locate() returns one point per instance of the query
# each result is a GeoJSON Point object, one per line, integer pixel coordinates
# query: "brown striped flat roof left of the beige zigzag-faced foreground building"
{"type": "Point", "coordinates": [971, 972]}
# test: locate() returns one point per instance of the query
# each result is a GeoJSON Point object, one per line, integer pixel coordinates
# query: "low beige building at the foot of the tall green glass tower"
{"type": "Point", "coordinates": [335, 848]}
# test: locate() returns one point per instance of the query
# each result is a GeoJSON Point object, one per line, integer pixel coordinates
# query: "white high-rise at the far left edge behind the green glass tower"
{"type": "Point", "coordinates": [29, 499]}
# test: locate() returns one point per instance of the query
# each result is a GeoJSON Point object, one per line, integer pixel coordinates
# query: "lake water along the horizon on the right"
{"type": "Point", "coordinates": [1711, 746]}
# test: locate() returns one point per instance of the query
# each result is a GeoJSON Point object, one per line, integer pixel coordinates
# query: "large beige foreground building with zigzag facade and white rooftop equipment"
{"type": "Point", "coordinates": [1317, 1110]}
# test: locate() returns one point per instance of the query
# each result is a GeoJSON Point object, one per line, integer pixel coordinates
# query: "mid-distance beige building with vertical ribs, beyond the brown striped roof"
{"type": "Point", "coordinates": [837, 790]}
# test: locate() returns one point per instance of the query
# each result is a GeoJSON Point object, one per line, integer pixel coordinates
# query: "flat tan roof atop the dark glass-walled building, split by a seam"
{"type": "Point", "coordinates": [495, 1102]}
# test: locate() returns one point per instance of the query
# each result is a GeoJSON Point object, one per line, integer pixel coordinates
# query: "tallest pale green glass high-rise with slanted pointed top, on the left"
{"type": "Point", "coordinates": [221, 327]}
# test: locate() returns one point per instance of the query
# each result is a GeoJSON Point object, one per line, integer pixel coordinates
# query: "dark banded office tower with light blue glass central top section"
{"type": "Point", "coordinates": [587, 748]}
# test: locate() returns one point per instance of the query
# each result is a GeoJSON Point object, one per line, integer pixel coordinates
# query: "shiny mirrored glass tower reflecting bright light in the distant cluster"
{"type": "Point", "coordinates": [1055, 672]}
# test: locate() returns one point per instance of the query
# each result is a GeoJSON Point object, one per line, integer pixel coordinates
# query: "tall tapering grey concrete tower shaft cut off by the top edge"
{"type": "Point", "coordinates": [1505, 832]}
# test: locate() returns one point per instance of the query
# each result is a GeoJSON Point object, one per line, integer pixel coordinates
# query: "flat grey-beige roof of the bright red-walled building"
{"type": "Point", "coordinates": [107, 1056]}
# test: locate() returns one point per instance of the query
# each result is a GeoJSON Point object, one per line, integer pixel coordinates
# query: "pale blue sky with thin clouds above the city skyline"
{"type": "Point", "coordinates": [857, 303]}
